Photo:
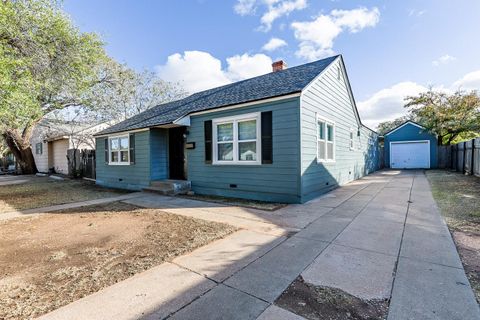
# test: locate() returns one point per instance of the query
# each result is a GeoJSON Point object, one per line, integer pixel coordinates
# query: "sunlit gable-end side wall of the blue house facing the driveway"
{"type": "Point", "coordinates": [328, 98]}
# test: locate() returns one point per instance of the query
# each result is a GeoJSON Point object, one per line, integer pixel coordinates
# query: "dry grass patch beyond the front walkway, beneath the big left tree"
{"type": "Point", "coordinates": [43, 191]}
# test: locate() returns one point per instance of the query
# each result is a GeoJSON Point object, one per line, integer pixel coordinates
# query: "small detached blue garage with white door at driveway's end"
{"type": "Point", "coordinates": [409, 146]}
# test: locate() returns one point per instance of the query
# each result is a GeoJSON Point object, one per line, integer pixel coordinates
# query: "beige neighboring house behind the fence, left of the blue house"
{"type": "Point", "coordinates": [51, 139]}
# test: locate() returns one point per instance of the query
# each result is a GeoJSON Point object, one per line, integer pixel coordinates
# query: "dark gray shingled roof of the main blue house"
{"type": "Point", "coordinates": [270, 85]}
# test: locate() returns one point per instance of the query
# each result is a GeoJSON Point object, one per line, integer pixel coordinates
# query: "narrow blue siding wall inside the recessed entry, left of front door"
{"type": "Point", "coordinates": [159, 154]}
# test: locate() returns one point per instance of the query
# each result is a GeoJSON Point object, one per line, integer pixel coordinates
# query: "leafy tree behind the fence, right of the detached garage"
{"type": "Point", "coordinates": [449, 116]}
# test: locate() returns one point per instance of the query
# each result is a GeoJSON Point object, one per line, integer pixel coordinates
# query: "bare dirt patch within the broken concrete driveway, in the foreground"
{"type": "Point", "coordinates": [317, 303]}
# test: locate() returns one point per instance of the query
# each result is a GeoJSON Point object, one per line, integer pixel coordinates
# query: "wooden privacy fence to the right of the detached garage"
{"type": "Point", "coordinates": [463, 157]}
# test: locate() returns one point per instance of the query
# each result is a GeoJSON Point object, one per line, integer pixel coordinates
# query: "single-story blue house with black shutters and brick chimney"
{"type": "Point", "coordinates": [286, 136]}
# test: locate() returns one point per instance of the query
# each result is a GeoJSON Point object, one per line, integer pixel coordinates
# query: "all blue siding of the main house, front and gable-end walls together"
{"type": "Point", "coordinates": [294, 176]}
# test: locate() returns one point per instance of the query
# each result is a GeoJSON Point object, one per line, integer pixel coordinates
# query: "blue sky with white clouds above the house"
{"type": "Point", "coordinates": [391, 48]}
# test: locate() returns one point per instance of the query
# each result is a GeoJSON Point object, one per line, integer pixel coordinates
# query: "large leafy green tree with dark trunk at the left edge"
{"type": "Point", "coordinates": [46, 64]}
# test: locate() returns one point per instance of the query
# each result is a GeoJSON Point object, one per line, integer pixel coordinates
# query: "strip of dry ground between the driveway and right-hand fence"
{"type": "Point", "coordinates": [458, 197]}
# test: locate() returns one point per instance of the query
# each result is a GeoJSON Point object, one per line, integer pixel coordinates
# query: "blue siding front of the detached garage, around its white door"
{"type": "Point", "coordinates": [411, 132]}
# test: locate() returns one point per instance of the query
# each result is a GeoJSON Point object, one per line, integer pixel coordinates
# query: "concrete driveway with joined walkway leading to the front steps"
{"type": "Point", "coordinates": [378, 237]}
